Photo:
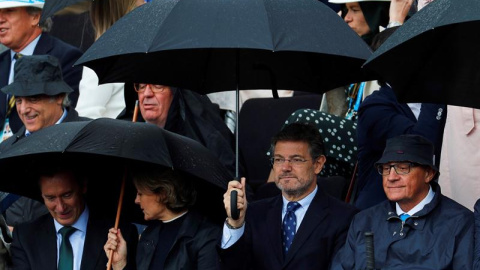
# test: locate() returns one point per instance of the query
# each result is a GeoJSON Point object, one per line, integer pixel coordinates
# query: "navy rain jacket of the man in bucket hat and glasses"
{"type": "Point", "coordinates": [438, 237]}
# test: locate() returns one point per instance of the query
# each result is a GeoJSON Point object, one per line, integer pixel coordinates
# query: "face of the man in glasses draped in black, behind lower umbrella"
{"type": "Point", "coordinates": [154, 106]}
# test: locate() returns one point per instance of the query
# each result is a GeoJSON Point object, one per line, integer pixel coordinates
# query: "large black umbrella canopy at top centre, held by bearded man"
{"type": "Point", "coordinates": [217, 45]}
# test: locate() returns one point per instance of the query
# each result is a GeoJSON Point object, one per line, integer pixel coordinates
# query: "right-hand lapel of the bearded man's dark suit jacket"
{"type": "Point", "coordinates": [316, 213]}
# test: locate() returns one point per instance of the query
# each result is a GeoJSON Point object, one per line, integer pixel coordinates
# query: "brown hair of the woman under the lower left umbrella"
{"type": "Point", "coordinates": [175, 192]}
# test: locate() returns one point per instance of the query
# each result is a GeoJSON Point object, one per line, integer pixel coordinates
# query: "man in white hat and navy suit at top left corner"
{"type": "Point", "coordinates": [23, 33]}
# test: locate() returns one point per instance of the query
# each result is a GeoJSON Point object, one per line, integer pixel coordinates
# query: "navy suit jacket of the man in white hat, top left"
{"type": "Point", "coordinates": [66, 54]}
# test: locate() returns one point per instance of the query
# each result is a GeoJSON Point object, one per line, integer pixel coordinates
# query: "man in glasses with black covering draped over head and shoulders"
{"type": "Point", "coordinates": [189, 114]}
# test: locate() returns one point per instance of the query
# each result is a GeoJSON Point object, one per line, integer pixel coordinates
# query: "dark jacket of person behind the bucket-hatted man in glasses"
{"type": "Point", "coordinates": [381, 117]}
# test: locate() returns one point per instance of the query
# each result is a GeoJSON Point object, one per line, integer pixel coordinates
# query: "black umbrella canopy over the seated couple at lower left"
{"type": "Point", "coordinates": [104, 148]}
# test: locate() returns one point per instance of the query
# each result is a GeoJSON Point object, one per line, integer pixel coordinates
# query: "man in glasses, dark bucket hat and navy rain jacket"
{"type": "Point", "coordinates": [417, 227]}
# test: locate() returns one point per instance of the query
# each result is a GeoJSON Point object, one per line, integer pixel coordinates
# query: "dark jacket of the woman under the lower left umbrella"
{"type": "Point", "coordinates": [193, 248]}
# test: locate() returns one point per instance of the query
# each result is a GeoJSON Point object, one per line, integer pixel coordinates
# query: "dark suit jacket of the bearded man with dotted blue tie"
{"type": "Point", "coordinates": [320, 235]}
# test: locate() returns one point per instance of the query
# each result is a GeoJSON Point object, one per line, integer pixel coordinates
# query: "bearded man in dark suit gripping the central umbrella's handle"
{"type": "Point", "coordinates": [270, 235]}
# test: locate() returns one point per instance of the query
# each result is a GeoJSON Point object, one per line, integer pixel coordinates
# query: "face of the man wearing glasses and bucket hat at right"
{"type": "Point", "coordinates": [407, 189]}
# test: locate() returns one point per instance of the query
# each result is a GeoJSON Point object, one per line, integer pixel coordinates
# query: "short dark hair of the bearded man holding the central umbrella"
{"type": "Point", "coordinates": [301, 132]}
